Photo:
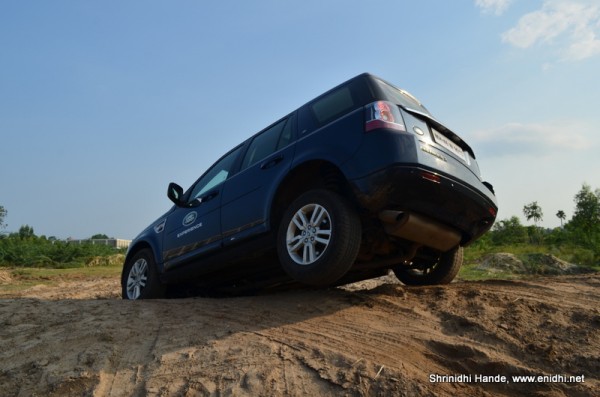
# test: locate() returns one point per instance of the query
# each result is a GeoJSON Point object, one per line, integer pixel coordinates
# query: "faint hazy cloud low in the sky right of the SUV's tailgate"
{"type": "Point", "coordinates": [539, 139]}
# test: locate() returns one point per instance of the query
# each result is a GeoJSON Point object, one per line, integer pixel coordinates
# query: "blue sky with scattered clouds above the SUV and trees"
{"type": "Point", "coordinates": [102, 104]}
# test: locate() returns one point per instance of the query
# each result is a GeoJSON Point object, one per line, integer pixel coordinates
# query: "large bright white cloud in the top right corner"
{"type": "Point", "coordinates": [571, 26]}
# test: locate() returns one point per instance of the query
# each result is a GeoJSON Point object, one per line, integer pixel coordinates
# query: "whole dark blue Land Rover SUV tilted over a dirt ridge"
{"type": "Point", "coordinates": [358, 181]}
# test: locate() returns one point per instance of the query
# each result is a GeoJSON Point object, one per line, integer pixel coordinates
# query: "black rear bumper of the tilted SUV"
{"type": "Point", "coordinates": [418, 189]}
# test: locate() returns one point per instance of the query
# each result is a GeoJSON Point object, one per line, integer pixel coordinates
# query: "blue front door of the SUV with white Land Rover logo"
{"type": "Point", "coordinates": [194, 228]}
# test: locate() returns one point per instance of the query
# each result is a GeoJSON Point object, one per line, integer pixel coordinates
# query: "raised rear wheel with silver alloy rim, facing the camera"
{"type": "Point", "coordinates": [331, 239]}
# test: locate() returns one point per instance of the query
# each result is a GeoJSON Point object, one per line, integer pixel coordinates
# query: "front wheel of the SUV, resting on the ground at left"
{"type": "Point", "coordinates": [140, 277]}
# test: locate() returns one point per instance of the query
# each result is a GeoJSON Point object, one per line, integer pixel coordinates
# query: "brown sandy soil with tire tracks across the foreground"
{"type": "Point", "coordinates": [371, 338]}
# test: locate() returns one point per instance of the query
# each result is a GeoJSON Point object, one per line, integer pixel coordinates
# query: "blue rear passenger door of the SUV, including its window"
{"type": "Point", "coordinates": [246, 196]}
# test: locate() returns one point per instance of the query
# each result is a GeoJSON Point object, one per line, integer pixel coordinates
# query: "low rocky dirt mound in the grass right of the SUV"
{"type": "Point", "coordinates": [529, 264]}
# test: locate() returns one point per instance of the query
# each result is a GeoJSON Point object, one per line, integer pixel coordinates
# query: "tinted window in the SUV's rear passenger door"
{"type": "Point", "coordinates": [269, 141]}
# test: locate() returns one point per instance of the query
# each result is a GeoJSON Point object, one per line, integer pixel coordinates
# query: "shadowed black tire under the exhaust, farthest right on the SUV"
{"type": "Point", "coordinates": [442, 271]}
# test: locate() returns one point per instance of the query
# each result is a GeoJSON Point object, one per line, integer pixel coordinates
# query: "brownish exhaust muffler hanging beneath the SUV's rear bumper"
{"type": "Point", "coordinates": [419, 229]}
